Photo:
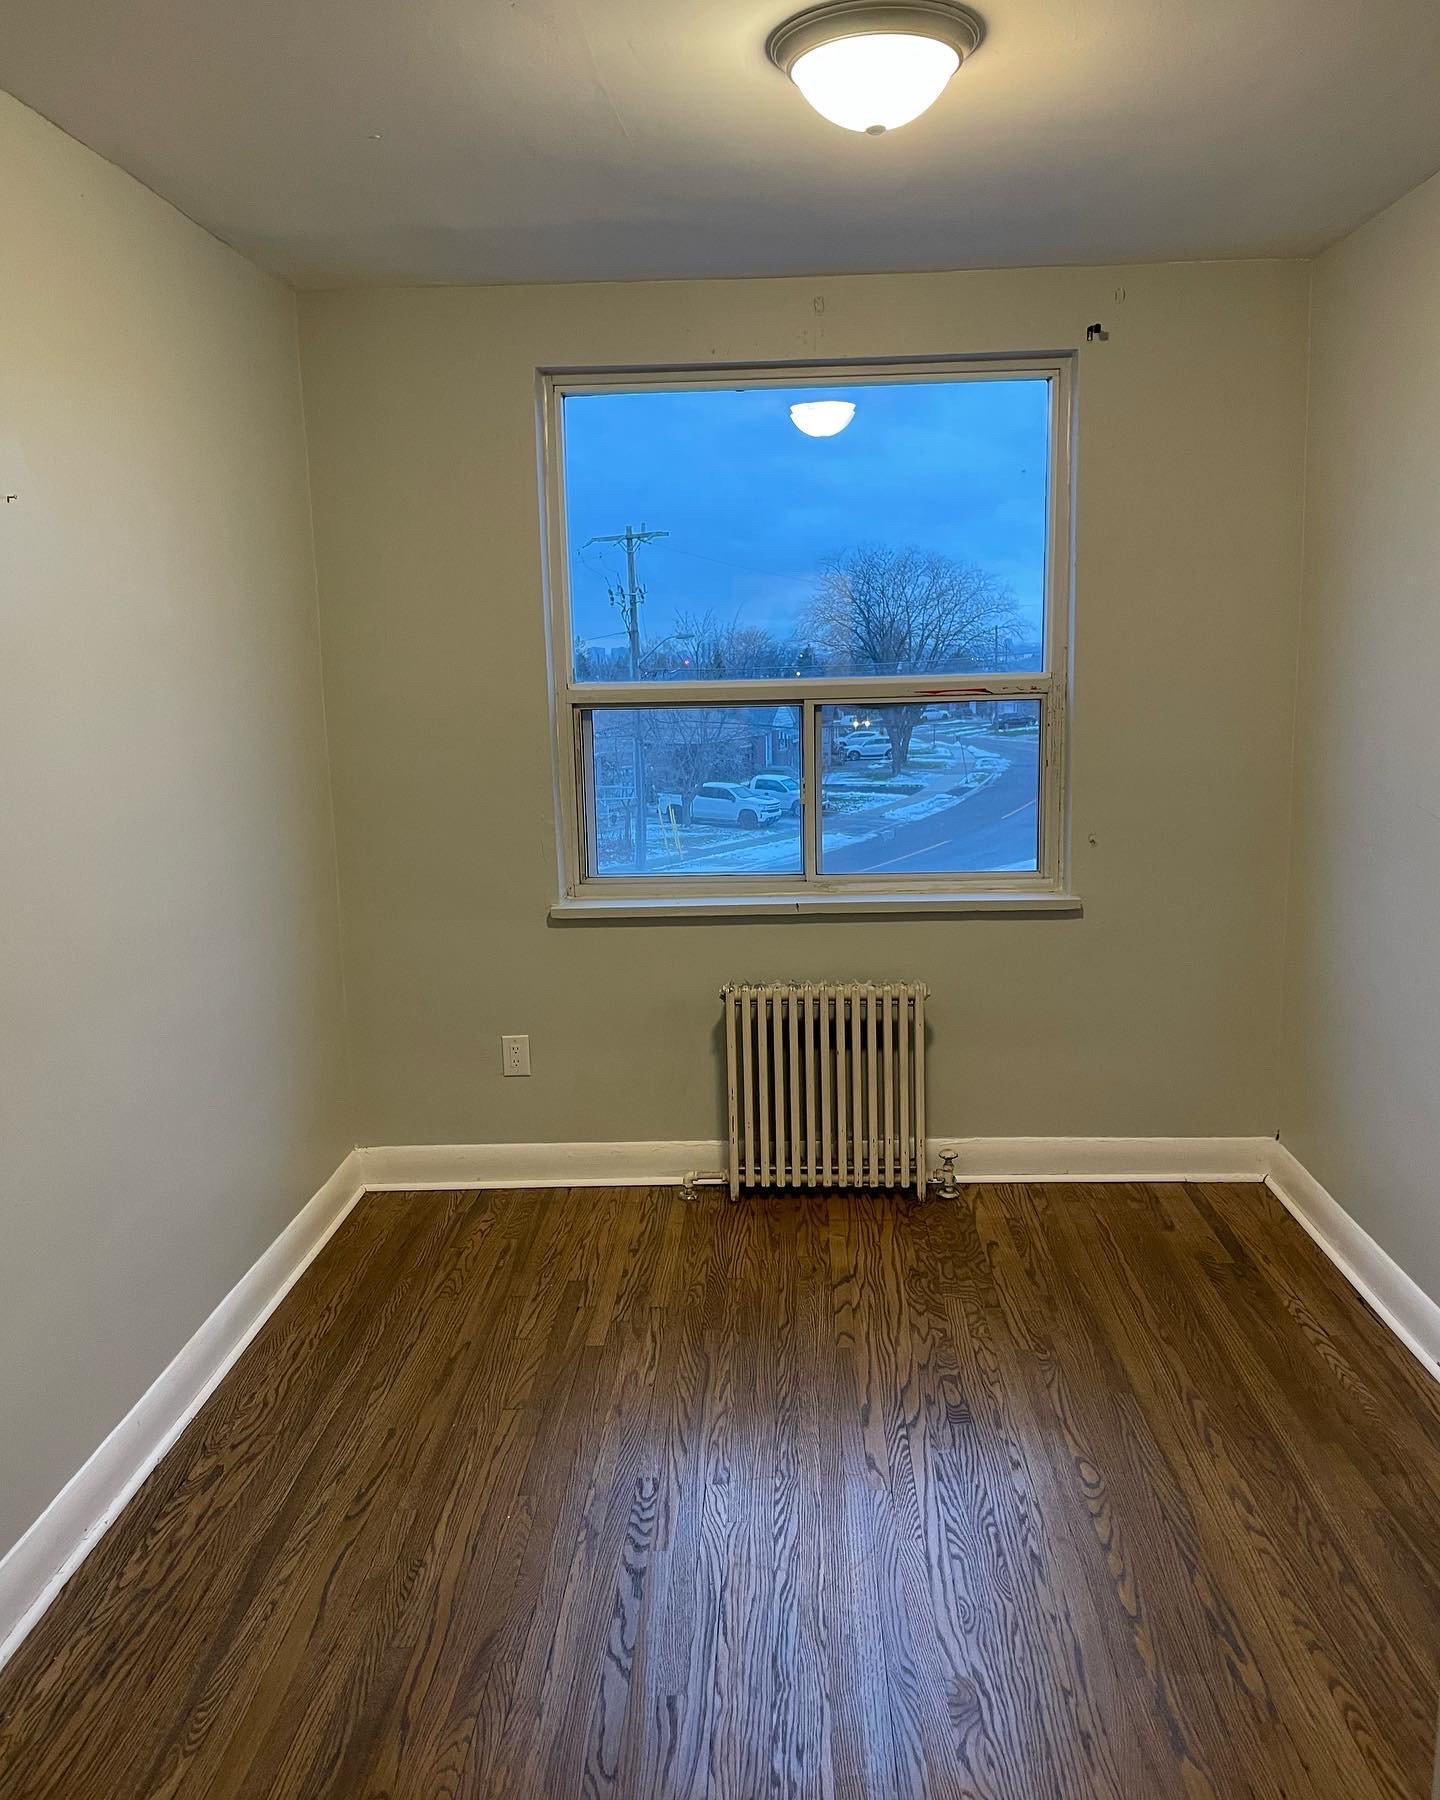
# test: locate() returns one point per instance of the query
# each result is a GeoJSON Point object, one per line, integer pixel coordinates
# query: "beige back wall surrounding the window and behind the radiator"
{"type": "Point", "coordinates": [1155, 1014]}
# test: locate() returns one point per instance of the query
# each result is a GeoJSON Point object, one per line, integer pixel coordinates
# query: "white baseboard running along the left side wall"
{"type": "Point", "coordinates": [67, 1531]}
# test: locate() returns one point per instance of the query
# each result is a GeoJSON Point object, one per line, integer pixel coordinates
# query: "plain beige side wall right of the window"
{"type": "Point", "coordinates": [1363, 962]}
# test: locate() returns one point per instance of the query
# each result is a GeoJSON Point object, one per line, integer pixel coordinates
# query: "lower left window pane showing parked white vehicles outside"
{"type": "Point", "coordinates": [696, 791]}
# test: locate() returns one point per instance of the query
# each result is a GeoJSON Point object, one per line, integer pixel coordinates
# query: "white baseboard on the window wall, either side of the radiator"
{"type": "Point", "coordinates": [607, 1165]}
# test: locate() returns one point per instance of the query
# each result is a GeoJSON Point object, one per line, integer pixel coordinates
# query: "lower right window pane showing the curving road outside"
{"type": "Point", "coordinates": [931, 789]}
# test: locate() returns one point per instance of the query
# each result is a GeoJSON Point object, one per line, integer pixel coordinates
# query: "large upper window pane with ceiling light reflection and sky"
{"type": "Point", "coordinates": [714, 537]}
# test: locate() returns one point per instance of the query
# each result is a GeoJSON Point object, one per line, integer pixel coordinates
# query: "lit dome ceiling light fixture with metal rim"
{"type": "Point", "coordinates": [872, 66]}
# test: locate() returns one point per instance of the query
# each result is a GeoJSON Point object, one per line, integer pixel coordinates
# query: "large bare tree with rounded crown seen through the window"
{"type": "Point", "coordinates": [903, 611]}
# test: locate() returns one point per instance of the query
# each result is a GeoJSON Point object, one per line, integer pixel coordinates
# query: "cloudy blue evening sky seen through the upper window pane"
{"type": "Point", "coordinates": [753, 507]}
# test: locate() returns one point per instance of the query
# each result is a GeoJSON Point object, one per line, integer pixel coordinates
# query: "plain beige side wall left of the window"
{"type": "Point", "coordinates": [172, 1077]}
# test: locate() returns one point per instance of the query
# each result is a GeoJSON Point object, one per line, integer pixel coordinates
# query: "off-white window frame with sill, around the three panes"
{"type": "Point", "coordinates": [571, 701]}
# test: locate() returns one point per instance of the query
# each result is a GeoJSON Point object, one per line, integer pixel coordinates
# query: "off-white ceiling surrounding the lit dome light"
{"type": "Point", "coordinates": [571, 139]}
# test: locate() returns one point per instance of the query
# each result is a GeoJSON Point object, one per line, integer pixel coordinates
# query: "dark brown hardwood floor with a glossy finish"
{"type": "Point", "coordinates": [1050, 1493]}
